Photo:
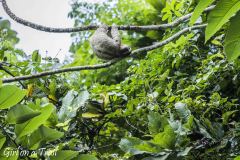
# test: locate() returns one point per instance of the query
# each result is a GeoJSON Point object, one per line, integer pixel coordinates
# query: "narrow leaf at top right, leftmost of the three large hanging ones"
{"type": "Point", "coordinates": [199, 9]}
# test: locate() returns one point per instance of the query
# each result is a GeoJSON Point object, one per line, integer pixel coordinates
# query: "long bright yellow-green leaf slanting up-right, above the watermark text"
{"type": "Point", "coordinates": [32, 124]}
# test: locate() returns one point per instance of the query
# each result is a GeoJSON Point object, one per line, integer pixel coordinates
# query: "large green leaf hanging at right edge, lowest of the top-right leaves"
{"type": "Point", "coordinates": [232, 40]}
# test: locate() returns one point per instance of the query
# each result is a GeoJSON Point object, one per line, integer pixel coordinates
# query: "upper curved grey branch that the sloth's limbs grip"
{"type": "Point", "coordinates": [92, 27]}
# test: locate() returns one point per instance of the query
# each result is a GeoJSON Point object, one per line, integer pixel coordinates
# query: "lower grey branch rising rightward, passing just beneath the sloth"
{"type": "Point", "coordinates": [107, 64]}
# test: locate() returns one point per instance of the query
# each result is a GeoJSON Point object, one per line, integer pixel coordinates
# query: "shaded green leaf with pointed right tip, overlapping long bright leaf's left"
{"type": "Point", "coordinates": [21, 113]}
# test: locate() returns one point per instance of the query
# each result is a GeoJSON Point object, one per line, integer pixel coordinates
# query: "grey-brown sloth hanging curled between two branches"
{"type": "Point", "coordinates": [107, 44]}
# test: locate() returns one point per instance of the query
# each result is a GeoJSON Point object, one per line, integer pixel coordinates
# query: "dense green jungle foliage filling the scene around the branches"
{"type": "Point", "coordinates": [180, 101]}
